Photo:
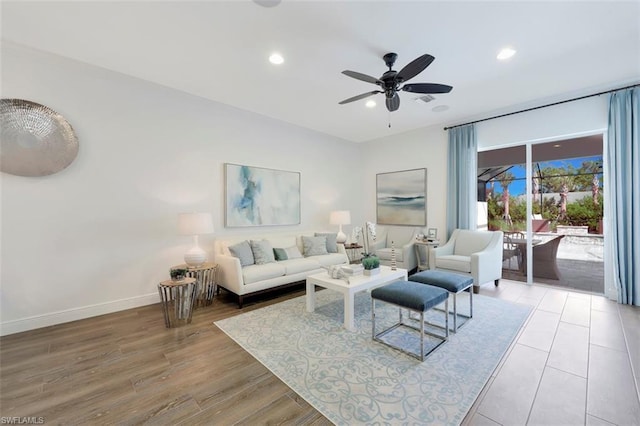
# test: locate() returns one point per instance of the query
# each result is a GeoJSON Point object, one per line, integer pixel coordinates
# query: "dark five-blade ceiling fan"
{"type": "Point", "coordinates": [392, 81]}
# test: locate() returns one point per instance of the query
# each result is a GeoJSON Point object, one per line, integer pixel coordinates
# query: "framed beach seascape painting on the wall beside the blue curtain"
{"type": "Point", "coordinates": [401, 197]}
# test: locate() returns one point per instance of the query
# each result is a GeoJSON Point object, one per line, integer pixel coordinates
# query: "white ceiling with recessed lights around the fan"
{"type": "Point", "coordinates": [218, 50]}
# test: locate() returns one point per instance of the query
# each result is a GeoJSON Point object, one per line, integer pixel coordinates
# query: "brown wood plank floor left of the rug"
{"type": "Point", "coordinates": [128, 368]}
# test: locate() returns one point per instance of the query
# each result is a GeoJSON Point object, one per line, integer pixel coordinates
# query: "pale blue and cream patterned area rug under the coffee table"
{"type": "Point", "coordinates": [351, 379]}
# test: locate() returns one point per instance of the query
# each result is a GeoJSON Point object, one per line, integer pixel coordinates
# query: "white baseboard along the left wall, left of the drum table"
{"type": "Point", "coordinates": [74, 314]}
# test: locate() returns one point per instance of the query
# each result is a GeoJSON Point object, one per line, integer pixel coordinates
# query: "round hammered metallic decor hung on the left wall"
{"type": "Point", "coordinates": [34, 139]}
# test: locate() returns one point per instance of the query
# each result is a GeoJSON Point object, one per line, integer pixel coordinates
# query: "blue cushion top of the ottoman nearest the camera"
{"type": "Point", "coordinates": [411, 295]}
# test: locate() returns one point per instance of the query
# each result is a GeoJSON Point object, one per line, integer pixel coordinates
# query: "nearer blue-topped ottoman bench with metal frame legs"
{"type": "Point", "coordinates": [414, 297]}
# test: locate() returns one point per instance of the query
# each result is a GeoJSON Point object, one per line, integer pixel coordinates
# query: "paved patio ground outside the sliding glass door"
{"type": "Point", "coordinates": [580, 261]}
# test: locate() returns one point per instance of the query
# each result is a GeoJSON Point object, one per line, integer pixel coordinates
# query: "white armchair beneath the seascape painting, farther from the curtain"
{"type": "Point", "coordinates": [403, 238]}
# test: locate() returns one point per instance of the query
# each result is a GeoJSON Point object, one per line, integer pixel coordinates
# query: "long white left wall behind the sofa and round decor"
{"type": "Point", "coordinates": [98, 236]}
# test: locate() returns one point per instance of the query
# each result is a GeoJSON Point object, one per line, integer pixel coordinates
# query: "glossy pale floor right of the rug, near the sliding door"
{"type": "Point", "coordinates": [575, 362]}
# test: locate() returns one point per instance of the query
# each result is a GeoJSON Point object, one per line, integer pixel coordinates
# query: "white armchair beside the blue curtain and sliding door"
{"type": "Point", "coordinates": [475, 253]}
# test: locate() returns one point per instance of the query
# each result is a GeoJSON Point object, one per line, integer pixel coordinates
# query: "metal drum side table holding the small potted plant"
{"type": "Point", "coordinates": [176, 298]}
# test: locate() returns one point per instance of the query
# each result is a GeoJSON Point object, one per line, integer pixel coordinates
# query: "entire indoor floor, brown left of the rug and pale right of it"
{"type": "Point", "coordinates": [569, 364]}
